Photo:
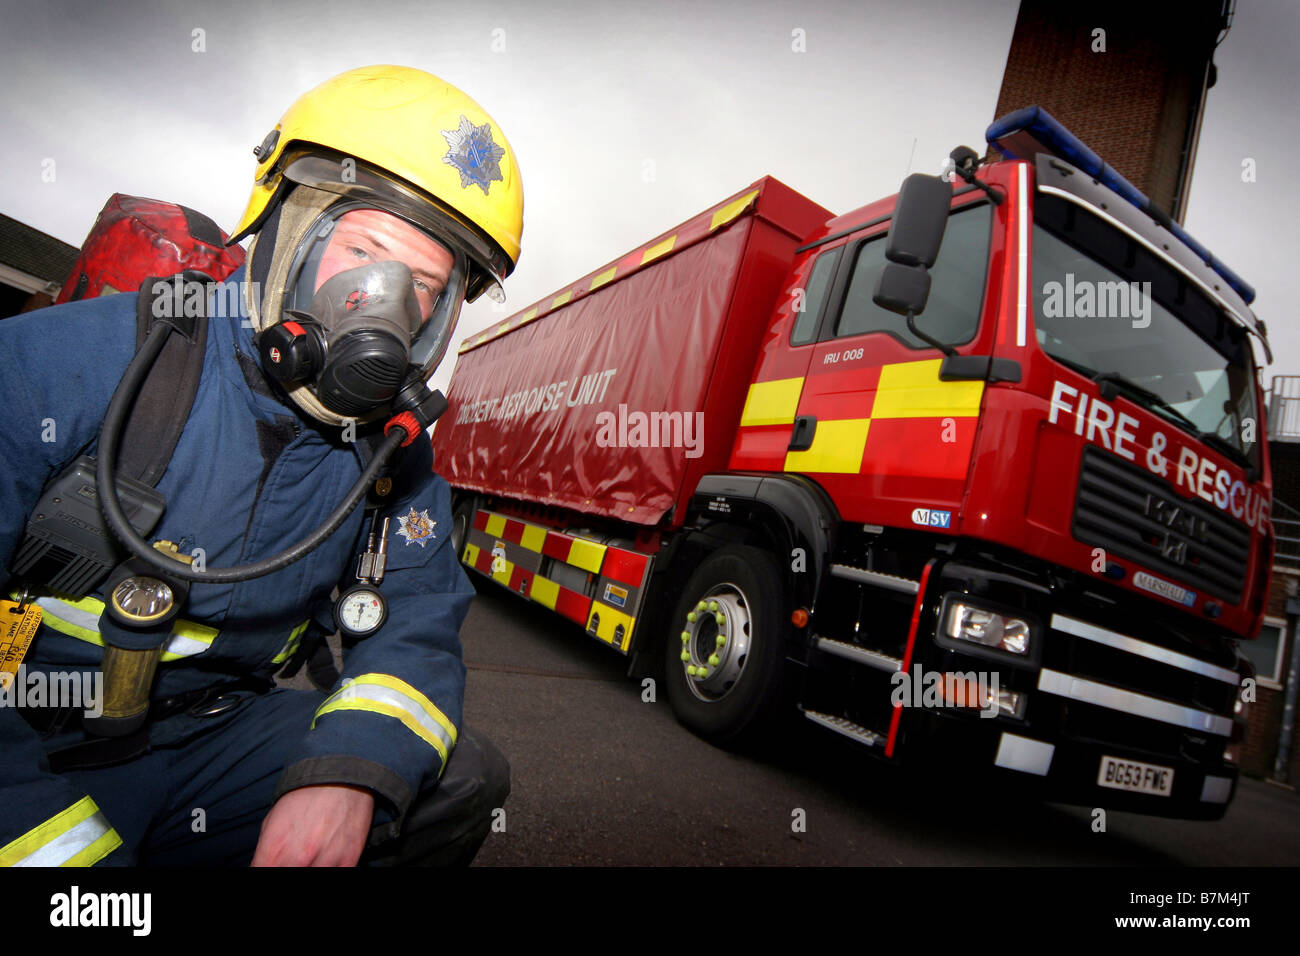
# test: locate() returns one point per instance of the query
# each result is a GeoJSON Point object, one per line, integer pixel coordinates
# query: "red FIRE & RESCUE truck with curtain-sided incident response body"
{"type": "Point", "coordinates": [995, 436]}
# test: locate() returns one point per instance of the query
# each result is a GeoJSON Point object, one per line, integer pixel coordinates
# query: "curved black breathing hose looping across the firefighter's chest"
{"type": "Point", "coordinates": [106, 482]}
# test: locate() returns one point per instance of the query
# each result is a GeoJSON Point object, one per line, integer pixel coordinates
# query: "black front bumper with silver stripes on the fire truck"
{"type": "Point", "coordinates": [1107, 680]}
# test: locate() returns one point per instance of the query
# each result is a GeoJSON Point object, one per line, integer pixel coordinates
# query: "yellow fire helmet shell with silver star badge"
{"type": "Point", "coordinates": [402, 140]}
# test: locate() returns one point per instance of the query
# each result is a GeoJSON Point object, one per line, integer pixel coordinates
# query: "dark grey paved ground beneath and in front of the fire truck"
{"type": "Point", "coordinates": [604, 778]}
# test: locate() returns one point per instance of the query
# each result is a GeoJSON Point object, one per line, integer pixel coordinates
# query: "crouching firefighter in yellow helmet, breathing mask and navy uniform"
{"type": "Point", "coordinates": [383, 200]}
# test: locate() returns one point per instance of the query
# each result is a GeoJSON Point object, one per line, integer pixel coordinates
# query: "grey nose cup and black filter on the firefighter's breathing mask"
{"type": "Point", "coordinates": [354, 347]}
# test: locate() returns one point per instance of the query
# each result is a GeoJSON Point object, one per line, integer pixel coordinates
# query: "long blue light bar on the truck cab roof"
{"type": "Point", "coordinates": [1033, 131]}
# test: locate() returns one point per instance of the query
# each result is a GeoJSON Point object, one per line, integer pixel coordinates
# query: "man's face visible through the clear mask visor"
{"type": "Point", "coordinates": [370, 236]}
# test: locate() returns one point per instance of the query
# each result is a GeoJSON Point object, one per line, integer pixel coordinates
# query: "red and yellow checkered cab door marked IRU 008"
{"type": "Point", "coordinates": [876, 425]}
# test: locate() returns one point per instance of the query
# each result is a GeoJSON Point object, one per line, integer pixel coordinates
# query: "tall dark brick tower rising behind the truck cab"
{"type": "Point", "coordinates": [1134, 103]}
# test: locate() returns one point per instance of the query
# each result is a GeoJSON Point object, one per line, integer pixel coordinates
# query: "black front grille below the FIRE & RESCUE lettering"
{"type": "Point", "coordinates": [1137, 516]}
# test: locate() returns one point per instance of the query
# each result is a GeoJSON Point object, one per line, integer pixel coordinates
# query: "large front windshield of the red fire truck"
{"type": "Point", "coordinates": [1110, 309]}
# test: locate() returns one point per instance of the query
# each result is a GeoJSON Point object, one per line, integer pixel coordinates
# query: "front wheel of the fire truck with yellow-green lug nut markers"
{"type": "Point", "coordinates": [726, 646]}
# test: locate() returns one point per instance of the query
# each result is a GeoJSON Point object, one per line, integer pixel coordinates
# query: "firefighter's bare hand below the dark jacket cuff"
{"type": "Point", "coordinates": [317, 827]}
